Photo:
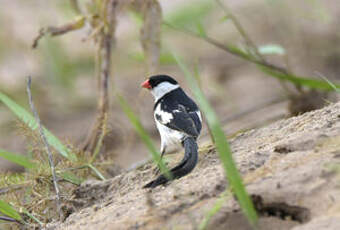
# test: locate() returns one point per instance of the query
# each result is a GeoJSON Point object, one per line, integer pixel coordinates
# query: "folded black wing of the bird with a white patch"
{"type": "Point", "coordinates": [180, 120]}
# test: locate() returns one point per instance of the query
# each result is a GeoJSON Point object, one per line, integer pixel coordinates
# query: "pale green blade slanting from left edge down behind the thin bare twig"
{"type": "Point", "coordinates": [29, 120]}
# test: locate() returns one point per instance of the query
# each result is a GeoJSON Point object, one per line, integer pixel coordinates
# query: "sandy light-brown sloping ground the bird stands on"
{"type": "Point", "coordinates": [291, 169]}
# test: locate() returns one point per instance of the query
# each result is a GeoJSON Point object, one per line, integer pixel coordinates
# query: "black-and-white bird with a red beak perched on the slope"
{"type": "Point", "coordinates": [179, 122]}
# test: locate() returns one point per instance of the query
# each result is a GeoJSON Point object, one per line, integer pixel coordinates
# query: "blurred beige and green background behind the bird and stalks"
{"type": "Point", "coordinates": [62, 68]}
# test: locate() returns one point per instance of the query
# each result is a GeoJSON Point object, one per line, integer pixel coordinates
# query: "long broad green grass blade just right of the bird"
{"type": "Point", "coordinates": [222, 147]}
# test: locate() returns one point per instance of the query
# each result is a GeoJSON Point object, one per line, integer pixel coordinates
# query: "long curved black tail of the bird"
{"type": "Point", "coordinates": [187, 164]}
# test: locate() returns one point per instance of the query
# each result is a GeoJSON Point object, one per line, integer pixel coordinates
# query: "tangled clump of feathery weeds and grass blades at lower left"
{"type": "Point", "coordinates": [36, 182]}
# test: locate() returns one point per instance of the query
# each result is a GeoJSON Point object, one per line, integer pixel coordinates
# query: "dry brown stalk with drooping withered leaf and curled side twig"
{"type": "Point", "coordinates": [102, 17]}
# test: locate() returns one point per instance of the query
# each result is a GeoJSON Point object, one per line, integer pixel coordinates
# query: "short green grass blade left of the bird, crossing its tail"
{"type": "Point", "coordinates": [143, 135]}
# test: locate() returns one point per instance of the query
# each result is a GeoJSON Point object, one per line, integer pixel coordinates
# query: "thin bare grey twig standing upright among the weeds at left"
{"type": "Point", "coordinates": [47, 147]}
